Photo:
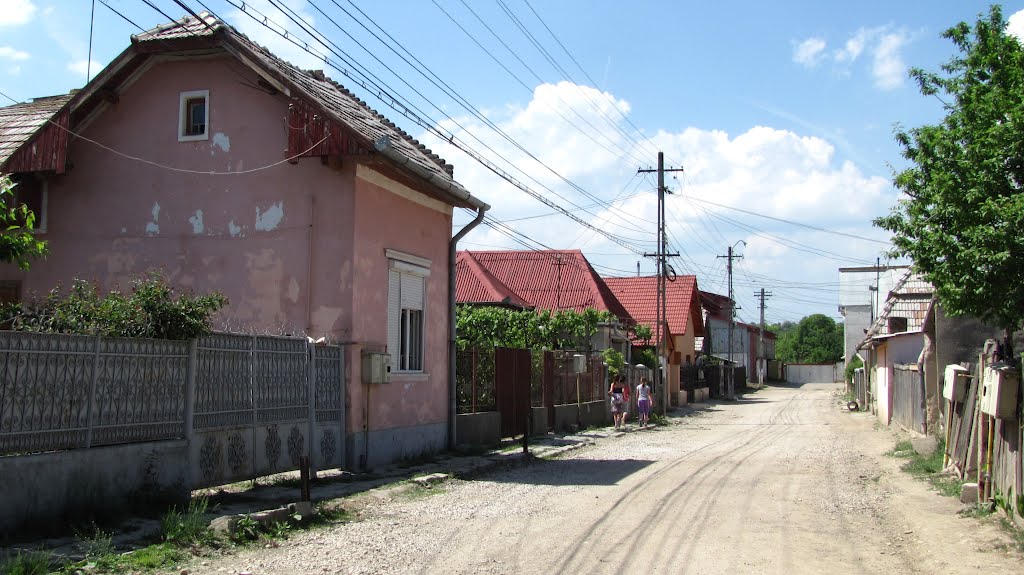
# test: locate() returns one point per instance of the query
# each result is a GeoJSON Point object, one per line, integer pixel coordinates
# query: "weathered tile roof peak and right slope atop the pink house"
{"type": "Point", "coordinates": [377, 130]}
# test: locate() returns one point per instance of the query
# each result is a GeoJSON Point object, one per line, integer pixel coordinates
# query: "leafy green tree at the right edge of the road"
{"type": "Point", "coordinates": [962, 219]}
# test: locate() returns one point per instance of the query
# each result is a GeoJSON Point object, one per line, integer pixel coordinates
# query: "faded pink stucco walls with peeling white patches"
{"type": "Point", "coordinates": [297, 249]}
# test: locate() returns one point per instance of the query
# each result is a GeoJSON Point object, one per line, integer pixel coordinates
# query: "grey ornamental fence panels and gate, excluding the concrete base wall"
{"type": "Point", "coordinates": [248, 406]}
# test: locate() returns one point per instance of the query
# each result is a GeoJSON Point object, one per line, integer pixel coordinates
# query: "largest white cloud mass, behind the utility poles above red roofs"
{"type": "Point", "coordinates": [762, 170]}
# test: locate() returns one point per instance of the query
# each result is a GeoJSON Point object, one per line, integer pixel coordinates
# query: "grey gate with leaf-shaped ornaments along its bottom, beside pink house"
{"type": "Point", "coordinates": [264, 403]}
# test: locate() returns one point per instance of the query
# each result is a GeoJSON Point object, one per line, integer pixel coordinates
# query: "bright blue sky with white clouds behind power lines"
{"type": "Point", "coordinates": [783, 110]}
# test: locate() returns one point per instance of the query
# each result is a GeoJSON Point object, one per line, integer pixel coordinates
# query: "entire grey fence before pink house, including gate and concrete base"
{"type": "Point", "coordinates": [91, 424]}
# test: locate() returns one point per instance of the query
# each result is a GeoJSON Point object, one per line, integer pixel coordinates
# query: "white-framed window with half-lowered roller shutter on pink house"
{"type": "Point", "coordinates": [407, 289]}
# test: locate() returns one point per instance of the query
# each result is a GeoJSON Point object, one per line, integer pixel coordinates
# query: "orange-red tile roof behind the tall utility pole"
{"type": "Point", "coordinates": [639, 295]}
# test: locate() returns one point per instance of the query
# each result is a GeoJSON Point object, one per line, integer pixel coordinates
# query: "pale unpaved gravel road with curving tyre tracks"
{"type": "Point", "coordinates": [783, 481]}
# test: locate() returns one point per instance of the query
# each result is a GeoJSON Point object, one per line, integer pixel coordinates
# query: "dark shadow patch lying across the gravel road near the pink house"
{"type": "Point", "coordinates": [574, 472]}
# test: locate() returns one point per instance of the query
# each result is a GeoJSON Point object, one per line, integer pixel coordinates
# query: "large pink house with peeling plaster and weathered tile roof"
{"type": "Point", "coordinates": [332, 222]}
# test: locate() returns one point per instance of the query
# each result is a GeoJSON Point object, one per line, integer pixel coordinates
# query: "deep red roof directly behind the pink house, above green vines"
{"type": "Point", "coordinates": [551, 280]}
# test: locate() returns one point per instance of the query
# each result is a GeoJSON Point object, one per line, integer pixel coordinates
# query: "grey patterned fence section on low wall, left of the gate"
{"type": "Point", "coordinates": [65, 392]}
